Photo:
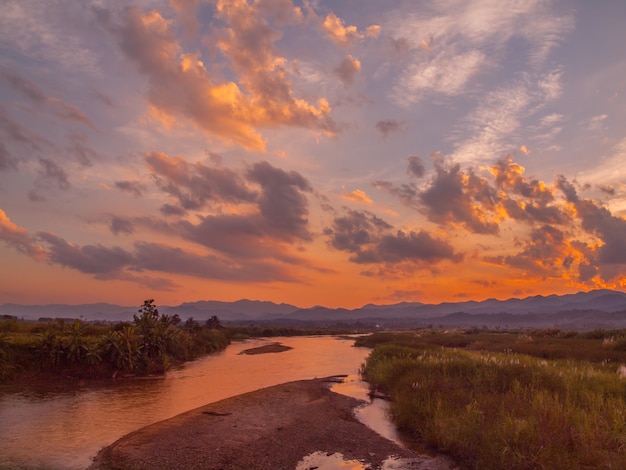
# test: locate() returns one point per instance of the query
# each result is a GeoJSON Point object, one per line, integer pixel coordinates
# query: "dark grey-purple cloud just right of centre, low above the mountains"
{"type": "Point", "coordinates": [370, 239]}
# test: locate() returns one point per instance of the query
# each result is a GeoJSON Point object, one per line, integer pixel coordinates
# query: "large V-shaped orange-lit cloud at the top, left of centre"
{"type": "Point", "coordinates": [181, 87]}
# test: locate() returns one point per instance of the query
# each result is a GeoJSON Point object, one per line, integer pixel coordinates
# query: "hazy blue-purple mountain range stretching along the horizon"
{"type": "Point", "coordinates": [584, 310]}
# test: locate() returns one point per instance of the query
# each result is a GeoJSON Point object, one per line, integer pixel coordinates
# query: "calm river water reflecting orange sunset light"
{"type": "Point", "coordinates": [63, 426]}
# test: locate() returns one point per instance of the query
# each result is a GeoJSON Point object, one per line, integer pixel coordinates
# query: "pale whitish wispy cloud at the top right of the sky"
{"type": "Point", "coordinates": [453, 42]}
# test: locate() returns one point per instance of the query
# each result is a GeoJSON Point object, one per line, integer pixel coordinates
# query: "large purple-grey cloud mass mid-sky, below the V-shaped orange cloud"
{"type": "Point", "coordinates": [256, 209]}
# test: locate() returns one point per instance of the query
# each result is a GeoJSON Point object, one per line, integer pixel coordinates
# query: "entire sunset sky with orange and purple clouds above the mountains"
{"type": "Point", "coordinates": [333, 153]}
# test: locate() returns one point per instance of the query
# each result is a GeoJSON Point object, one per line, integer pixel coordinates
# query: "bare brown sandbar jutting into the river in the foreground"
{"type": "Point", "coordinates": [271, 428]}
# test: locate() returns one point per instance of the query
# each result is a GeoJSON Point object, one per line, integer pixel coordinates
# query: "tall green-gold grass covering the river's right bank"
{"type": "Point", "coordinates": [497, 410]}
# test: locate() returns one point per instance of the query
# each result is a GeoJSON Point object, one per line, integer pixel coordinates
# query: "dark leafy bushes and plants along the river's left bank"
{"type": "Point", "coordinates": [148, 345]}
